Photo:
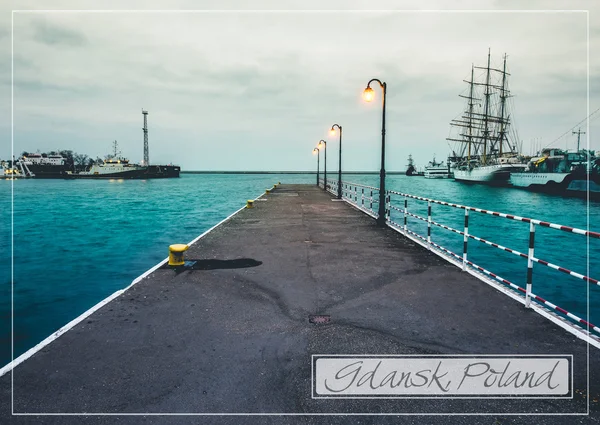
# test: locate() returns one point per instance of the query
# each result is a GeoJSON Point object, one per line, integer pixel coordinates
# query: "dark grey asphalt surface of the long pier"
{"type": "Point", "coordinates": [233, 335]}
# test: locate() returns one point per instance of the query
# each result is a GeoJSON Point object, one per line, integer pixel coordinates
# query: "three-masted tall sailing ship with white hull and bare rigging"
{"type": "Point", "coordinates": [486, 145]}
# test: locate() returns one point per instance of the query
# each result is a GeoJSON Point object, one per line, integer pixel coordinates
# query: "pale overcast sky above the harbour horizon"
{"type": "Point", "coordinates": [256, 90]}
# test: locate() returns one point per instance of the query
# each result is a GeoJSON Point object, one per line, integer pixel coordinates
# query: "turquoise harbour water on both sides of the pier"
{"type": "Point", "coordinates": [76, 242]}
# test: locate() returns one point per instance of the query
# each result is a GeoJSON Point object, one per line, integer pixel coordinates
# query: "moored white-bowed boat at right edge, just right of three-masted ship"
{"type": "Point", "coordinates": [561, 172]}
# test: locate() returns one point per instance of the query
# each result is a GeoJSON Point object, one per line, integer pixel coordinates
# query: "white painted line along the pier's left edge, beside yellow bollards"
{"type": "Point", "coordinates": [86, 314]}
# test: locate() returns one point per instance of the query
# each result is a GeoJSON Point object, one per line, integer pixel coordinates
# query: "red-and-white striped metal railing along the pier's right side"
{"type": "Point", "coordinates": [366, 197]}
